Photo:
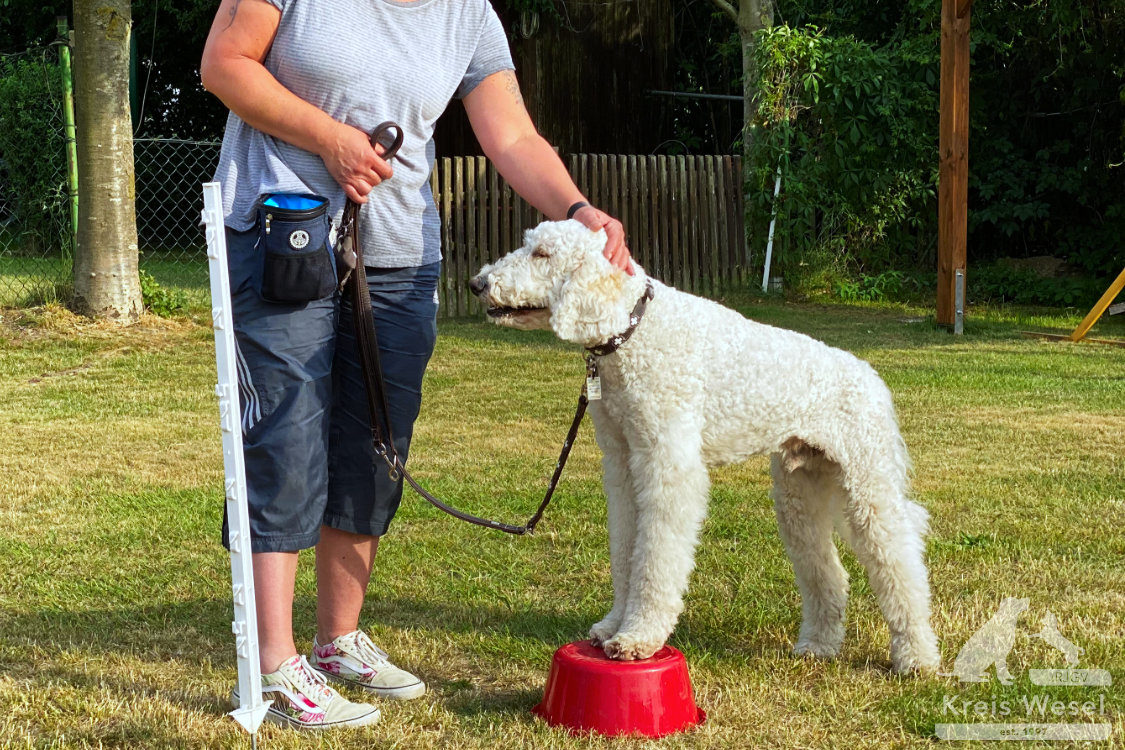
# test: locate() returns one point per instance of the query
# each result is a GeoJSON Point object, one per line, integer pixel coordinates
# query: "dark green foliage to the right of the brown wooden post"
{"type": "Point", "coordinates": [1047, 141]}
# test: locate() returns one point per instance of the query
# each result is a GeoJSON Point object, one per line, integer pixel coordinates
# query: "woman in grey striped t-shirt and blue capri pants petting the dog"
{"type": "Point", "coordinates": [307, 83]}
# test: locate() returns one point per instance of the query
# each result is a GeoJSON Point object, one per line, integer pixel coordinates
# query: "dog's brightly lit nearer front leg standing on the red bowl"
{"type": "Point", "coordinates": [672, 494]}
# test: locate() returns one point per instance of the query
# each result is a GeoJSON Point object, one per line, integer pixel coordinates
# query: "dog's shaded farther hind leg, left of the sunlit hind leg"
{"type": "Point", "coordinates": [806, 489]}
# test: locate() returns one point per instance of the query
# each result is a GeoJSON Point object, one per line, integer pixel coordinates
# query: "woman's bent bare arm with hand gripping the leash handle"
{"type": "Point", "coordinates": [232, 70]}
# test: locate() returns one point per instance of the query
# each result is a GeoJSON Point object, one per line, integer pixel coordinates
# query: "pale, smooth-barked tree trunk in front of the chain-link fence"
{"type": "Point", "coordinates": [106, 281]}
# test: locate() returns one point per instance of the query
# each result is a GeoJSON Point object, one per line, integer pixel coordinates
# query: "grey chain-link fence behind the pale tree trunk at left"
{"type": "Point", "coordinates": [37, 233]}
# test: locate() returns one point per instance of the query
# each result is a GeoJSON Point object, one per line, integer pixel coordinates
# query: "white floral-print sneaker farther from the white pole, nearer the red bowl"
{"type": "Point", "coordinates": [354, 659]}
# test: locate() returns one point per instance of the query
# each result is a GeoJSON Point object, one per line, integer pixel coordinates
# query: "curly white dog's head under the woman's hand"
{"type": "Point", "coordinates": [560, 281]}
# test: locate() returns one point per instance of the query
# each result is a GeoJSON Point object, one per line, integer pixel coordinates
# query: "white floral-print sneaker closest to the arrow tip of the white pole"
{"type": "Point", "coordinates": [303, 700]}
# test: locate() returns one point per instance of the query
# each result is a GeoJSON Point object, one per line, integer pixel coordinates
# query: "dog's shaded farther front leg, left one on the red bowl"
{"type": "Point", "coordinates": [622, 505]}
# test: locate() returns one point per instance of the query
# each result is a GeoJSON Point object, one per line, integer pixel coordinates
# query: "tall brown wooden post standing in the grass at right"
{"type": "Point", "coordinates": [953, 148]}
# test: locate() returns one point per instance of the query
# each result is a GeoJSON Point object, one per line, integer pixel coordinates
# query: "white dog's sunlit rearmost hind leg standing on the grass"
{"type": "Point", "coordinates": [888, 532]}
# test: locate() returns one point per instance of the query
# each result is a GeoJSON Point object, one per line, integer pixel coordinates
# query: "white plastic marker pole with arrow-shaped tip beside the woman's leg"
{"type": "Point", "coordinates": [253, 709]}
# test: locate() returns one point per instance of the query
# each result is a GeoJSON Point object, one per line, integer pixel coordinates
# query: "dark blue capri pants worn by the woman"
{"type": "Point", "coordinates": [305, 424]}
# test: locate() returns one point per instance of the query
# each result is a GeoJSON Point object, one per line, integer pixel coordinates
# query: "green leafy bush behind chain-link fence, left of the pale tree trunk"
{"type": "Point", "coordinates": [33, 156]}
